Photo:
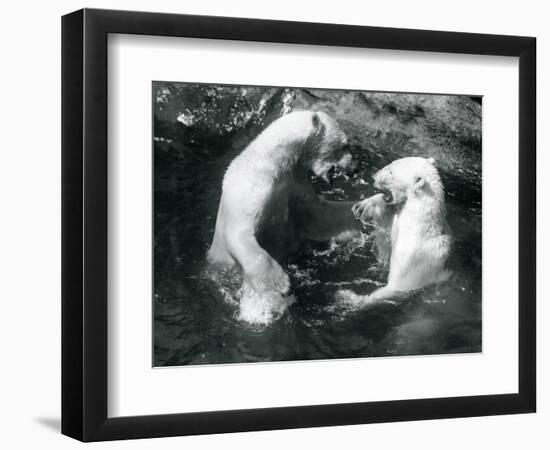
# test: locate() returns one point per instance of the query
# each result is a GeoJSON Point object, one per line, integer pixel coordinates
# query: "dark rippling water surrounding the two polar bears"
{"type": "Point", "coordinates": [196, 319]}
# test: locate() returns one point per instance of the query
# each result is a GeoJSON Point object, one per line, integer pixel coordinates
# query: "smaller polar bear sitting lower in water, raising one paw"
{"type": "Point", "coordinates": [412, 234]}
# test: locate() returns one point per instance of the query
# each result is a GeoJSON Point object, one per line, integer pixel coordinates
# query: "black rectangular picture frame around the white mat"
{"type": "Point", "coordinates": [84, 224]}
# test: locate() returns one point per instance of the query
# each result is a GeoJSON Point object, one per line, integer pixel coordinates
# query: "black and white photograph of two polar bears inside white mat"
{"type": "Point", "coordinates": [295, 223]}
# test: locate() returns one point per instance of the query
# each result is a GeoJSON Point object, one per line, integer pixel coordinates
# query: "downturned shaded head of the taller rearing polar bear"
{"type": "Point", "coordinates": [326, 148]}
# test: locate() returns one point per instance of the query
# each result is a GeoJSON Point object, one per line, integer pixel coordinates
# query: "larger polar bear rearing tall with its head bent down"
{"type": "Point", "coordinates": [268, 206]}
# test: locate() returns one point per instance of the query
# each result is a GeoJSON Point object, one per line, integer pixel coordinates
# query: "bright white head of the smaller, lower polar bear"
{"type": "Point", "coordinates": [407, 178]}
